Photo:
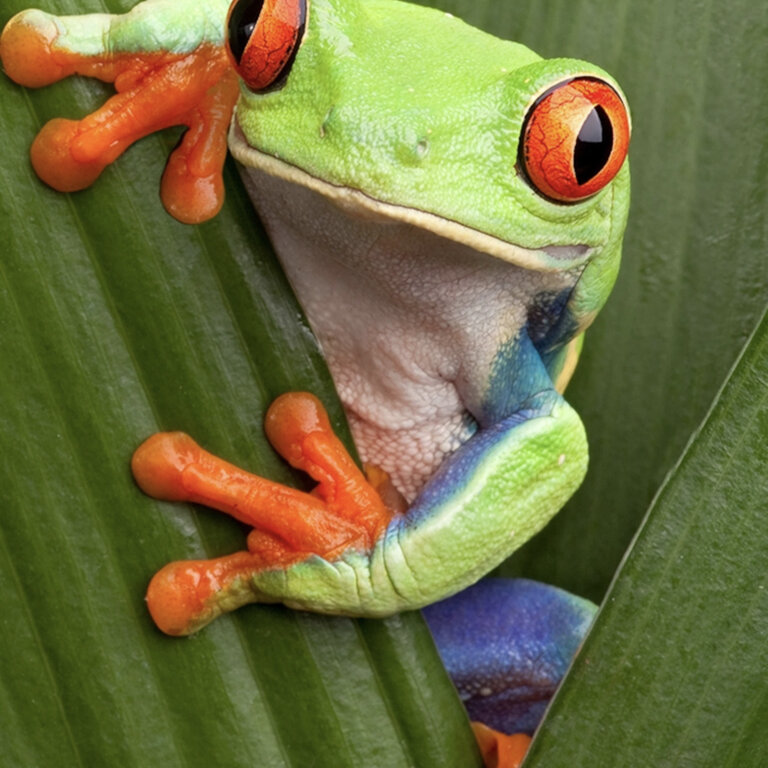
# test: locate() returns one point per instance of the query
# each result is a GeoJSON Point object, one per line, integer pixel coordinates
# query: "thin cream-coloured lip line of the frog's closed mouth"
{"type": "Point", "coordinates": [552, 258]}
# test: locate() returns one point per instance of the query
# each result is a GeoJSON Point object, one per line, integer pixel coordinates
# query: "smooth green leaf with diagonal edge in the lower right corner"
{"type": "Point", "coordinates": [674, 672]}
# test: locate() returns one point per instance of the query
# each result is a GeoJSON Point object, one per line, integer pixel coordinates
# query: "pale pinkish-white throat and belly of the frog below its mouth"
{"type": "Point", "coordinates": [410, 323]}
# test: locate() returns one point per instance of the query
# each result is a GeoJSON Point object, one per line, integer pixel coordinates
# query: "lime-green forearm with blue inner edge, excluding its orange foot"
{"type": "Point", "coordinates": [489, 498]}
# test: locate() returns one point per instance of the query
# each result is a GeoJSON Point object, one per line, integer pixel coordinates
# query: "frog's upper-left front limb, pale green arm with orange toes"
{"type": "Point", "coordinates": [168, 63]}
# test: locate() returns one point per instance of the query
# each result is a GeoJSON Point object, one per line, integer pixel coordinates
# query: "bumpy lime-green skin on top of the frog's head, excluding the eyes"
{"type": "Point", "coordinates": [446, 143]}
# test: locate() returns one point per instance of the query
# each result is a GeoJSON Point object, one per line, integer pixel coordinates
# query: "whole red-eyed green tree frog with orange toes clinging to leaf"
{"type": "Point", "coordinates": [449, 208]}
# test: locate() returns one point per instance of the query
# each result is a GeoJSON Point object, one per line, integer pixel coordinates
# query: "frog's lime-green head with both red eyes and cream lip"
{"type": "Point", "coordinates": [409, 113]}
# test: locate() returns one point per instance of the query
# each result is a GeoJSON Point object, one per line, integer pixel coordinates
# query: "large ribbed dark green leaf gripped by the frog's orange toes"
{"type": "Point", "coordinates": [116, 321]}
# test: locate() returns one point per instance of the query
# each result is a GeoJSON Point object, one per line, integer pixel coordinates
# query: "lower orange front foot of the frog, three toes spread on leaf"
{"type": "Point", "coordinates": [343, 513]}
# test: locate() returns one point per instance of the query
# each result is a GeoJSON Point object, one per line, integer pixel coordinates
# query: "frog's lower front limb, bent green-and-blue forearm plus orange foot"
{"type": "Point", "coordinates": [340, 550]}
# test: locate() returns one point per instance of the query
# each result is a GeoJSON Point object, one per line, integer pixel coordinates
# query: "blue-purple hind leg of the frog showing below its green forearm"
{"type": "Point", "coordinates": [506, 644]}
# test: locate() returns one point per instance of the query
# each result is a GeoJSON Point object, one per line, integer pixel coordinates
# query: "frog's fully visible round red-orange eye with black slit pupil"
{"type": "Point", "coordinates": [575, 139]}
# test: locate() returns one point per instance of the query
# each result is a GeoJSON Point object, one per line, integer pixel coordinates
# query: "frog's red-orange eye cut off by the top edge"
{"type": "Point", "coordinates": [263, 37]}
